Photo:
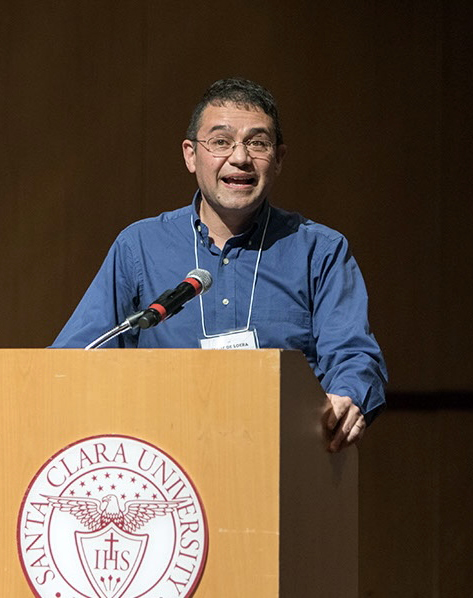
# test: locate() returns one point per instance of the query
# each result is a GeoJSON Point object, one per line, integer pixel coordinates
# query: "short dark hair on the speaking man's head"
{"type": "Point", "coordinates": [241, 92]}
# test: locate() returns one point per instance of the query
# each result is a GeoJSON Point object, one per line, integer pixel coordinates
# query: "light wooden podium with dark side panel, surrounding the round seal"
{"type": "Point", "coordinates": [282, 512]}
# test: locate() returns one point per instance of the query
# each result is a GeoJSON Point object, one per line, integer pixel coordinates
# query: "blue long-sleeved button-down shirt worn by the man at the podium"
{"type": "Point", "coordinates": [309, 295]}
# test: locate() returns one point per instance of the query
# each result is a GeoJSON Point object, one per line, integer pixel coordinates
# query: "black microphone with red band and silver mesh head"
{"type": "Point", "coordinates": [197, 282]}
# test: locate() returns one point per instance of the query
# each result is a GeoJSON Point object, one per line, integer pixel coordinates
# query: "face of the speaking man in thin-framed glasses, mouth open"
{"type": "Point", "coordinates": [235, 185]}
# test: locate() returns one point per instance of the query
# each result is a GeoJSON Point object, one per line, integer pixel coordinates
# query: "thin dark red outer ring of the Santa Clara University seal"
{"type": "Point", "coordinates": [205, 549]}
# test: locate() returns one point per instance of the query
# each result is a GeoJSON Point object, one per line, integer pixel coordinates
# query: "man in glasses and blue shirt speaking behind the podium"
{"type": "Point", "coordinates": [279, 280]}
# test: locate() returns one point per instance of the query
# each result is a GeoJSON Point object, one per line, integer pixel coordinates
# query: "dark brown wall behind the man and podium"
{"type": "Point", "coordinates": [375, 98]}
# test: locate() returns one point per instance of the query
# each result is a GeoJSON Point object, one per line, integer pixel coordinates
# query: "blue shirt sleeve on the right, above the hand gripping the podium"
{"type": "Point", "coordinates": [349, 359]}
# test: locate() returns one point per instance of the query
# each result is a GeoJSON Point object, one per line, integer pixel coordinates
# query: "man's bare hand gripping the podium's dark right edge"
{"type": "Point", "coordinates": [343, 422]}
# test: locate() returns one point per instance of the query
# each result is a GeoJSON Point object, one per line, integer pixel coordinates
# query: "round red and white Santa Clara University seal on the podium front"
{"type": "Point", "coordinates": [112, 517]}
